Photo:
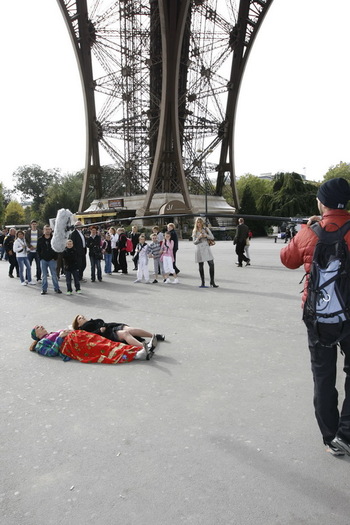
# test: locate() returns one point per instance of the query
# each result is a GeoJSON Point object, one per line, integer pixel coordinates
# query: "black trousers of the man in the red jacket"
{"type": "Point", "coordinates": [324, 371]}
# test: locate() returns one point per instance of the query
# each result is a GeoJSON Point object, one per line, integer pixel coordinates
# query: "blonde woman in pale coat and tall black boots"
{"type": "Point", "coordinates": [200, 236]}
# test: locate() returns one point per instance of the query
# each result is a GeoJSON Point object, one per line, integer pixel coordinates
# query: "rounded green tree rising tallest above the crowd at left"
{"type": "Point", "coordinates": [32, 182]}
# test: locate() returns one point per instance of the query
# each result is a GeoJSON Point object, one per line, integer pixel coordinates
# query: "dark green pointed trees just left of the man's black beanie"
{"type": "Point", "coordinates": [291, 197]}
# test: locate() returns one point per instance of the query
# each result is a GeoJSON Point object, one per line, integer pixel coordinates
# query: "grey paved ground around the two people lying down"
{"type": "Point", "coordinates": [217, 429]}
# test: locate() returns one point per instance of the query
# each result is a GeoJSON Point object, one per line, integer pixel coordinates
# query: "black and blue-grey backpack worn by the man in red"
{"type": "Point", "coordinates": [328, 298]}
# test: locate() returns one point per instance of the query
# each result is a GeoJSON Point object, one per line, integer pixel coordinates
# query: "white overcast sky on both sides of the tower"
{"type": "Point", "coordinates": [293, 112]}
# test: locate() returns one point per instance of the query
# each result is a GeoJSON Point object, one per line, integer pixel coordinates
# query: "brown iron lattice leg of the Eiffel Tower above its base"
{"type": "Point", "coordinates": [161, 80]}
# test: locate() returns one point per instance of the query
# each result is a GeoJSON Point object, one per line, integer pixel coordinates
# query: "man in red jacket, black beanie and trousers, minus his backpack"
{"type": "Point", "coordinates": [332, 198]}
